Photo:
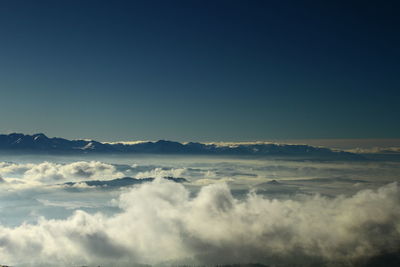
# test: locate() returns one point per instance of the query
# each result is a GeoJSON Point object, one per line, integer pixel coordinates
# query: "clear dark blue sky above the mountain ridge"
{"type": "Point", "coordinates": [200, 70]}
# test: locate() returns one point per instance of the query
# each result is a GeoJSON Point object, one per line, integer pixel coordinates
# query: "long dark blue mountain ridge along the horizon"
{"type": "Point", "coordinates": [41, 143]}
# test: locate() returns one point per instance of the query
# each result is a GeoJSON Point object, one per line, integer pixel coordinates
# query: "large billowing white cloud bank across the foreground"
{"type": "Point", "coordinates": [160, 222]}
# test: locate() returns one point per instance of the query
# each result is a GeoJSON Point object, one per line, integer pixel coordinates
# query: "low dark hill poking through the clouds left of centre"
{"type": "Point", "coordinates": [126, 181]}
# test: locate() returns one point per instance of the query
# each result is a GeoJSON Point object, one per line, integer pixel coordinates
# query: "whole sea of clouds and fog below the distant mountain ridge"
{"type": "Point", "coordinates": [230, 210]}
